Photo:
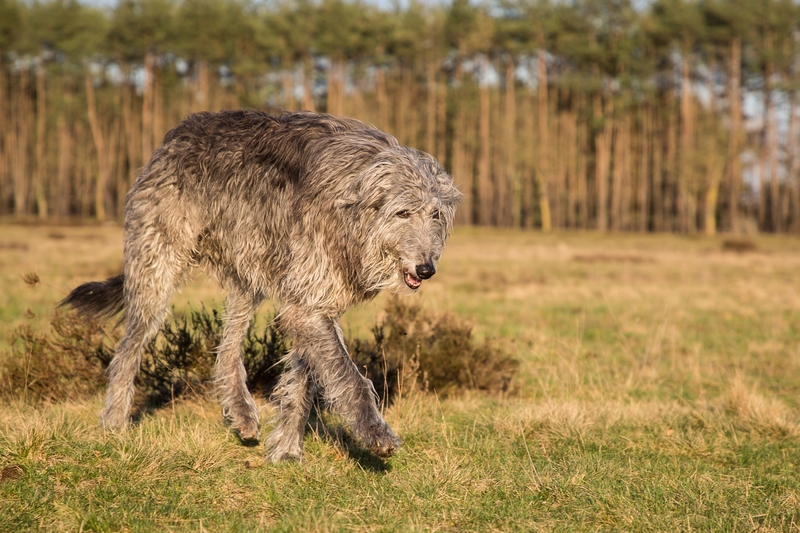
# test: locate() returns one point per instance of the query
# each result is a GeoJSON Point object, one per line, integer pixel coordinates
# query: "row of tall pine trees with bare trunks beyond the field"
{"type": "Point", "coordinates": [682, 116]}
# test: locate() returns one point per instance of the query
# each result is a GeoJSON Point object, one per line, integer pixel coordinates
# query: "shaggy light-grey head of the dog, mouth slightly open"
{"type": "Point", "coordinates": [408, 203]}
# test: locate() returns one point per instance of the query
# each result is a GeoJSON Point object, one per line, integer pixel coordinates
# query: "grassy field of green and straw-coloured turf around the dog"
{"type": "Point", "coordinates": [658, 390]}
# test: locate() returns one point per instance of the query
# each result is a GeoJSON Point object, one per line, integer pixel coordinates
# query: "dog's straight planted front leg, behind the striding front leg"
{"type": "Point", "coordinates": [294, 395]}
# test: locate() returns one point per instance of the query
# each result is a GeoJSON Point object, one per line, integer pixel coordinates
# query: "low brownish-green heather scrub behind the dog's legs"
{"type": "Point", "coordinates": [409, 349]}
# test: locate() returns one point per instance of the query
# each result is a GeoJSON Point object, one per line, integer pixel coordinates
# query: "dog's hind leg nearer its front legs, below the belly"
{"type": "Point", "coordinates": [230, 377]}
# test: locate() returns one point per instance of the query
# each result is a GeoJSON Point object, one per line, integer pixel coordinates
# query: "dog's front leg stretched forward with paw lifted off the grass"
{"type": "Point", "coordinates": [318, 341]}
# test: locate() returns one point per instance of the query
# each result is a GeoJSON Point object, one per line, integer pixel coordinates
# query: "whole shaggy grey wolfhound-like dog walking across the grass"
{"type": "Point", "coordinates": [318, 212]}
